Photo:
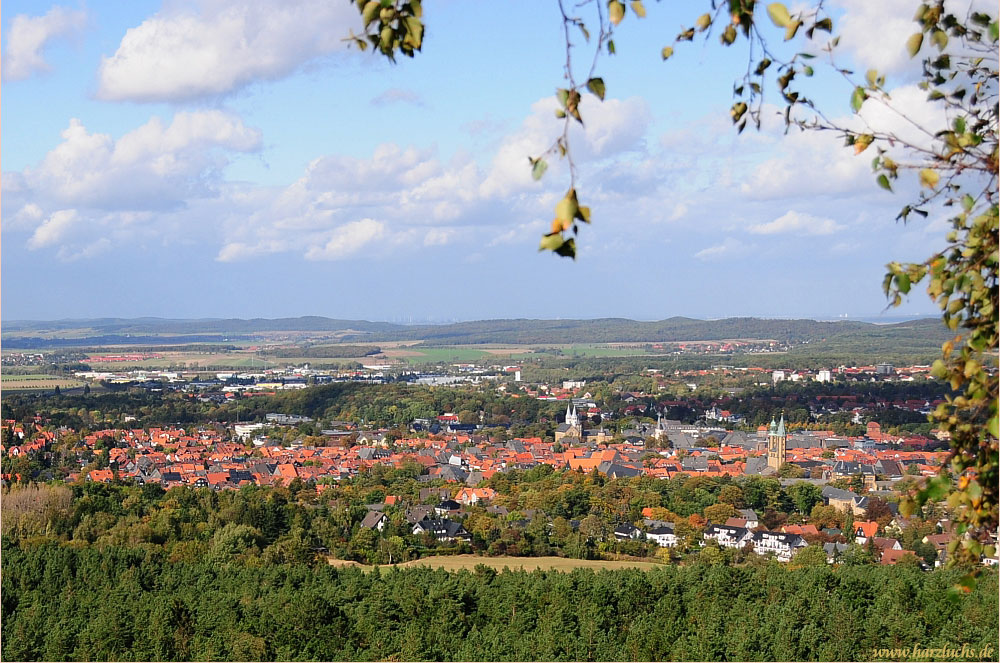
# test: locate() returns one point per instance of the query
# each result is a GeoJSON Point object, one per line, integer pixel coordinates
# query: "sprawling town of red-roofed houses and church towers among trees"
{"type": "Point", "coordinates": [454, 482]}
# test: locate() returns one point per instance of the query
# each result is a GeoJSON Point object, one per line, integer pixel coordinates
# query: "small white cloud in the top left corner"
{"type": "Point", "coordinates": [28, 36]}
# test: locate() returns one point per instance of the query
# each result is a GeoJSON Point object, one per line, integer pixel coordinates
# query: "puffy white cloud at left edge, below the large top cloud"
{"type": "Point", "coordinates": [92, 187]}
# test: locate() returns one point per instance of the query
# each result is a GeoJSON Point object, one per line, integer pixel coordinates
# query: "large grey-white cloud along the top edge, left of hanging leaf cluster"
{"type": "Point", "coordinates": [212, 47]}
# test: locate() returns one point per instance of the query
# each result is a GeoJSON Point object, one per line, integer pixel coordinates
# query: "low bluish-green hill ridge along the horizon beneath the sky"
{"type": "Point", "coordinates": [515, 331]}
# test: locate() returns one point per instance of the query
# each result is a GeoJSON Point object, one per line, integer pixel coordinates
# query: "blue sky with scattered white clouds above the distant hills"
{"type": "Point", "coordinates": [215, 158]}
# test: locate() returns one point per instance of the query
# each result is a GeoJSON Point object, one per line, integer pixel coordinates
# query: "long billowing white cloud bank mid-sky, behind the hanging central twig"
{"type": "Point", "coordinates": [421, 200]}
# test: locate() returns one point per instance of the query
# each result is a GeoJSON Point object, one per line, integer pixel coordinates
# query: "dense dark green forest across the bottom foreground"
{"type": "Point", "coordinates": [61, 603]}
